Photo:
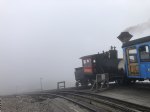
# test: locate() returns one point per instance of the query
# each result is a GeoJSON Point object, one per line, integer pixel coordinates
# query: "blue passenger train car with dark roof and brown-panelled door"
{"type": "Point", "coordinates": [137, 59]}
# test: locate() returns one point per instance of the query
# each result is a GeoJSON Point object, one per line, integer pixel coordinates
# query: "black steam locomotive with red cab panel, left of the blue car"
{"type": "Point", "coordinates": [106, 62]}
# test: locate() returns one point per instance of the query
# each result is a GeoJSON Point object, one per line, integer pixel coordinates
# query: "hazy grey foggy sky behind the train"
{"type": "Point", "coordinates": [45, 38]}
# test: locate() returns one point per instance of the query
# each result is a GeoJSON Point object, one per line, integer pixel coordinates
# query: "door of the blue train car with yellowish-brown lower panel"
{"type": "Point", "coordinates": [132, 62]}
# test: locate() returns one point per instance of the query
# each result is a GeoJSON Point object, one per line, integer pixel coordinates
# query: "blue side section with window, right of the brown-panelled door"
{"type": "Point", "coordinates": [144, 57]}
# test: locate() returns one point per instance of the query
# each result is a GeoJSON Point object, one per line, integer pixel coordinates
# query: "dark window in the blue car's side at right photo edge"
{"type": "Point", "coordinates": [144, 53]}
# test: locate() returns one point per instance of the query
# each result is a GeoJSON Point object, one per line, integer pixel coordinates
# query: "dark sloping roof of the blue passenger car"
{"type": "Point", "coordinates": [137, 41]}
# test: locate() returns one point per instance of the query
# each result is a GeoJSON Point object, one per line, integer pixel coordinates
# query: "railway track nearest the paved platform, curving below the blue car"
{"type": "Point", "coordinates": [107, 101]}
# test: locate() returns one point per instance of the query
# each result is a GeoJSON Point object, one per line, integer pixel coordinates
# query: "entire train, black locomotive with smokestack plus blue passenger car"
{"type": "Point", "coordinates": [135, 64]}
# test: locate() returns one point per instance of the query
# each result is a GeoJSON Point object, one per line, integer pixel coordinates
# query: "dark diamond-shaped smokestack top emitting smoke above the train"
{"type": "Point", "coordinates": [124, 37]}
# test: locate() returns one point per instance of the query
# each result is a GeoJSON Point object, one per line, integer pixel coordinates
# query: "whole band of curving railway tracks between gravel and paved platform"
{"type": "Point", "coordinates": [97, 103]}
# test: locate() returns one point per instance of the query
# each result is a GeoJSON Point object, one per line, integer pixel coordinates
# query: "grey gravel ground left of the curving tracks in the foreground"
{"type": "Point", "coordinates": [30, 104]}
